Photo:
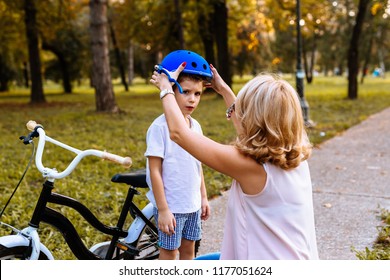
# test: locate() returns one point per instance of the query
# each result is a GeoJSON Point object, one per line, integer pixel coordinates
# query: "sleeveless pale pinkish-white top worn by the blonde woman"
{"type": "Point", "coordinates": [277, 223]}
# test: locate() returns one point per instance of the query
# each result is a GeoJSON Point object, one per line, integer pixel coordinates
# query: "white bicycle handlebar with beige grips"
{"type": "Point", "coordinates": [38, 131]}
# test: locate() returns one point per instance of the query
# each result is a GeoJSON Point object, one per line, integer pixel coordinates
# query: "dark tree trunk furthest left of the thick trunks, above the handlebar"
{"type": "Point", "coordinates": [37, 95]}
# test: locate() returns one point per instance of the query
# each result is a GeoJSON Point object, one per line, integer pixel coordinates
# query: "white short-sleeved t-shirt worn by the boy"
{"type": "Point", "coordinates": [181, 172]}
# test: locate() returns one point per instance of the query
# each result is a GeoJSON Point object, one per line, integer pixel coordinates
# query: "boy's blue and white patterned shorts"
{"type": "Point", "coordinates": [188, 226]}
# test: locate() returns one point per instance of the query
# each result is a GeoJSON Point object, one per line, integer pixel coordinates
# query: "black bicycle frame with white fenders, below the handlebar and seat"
{"type": "Point", "coordinates": [45, 214]}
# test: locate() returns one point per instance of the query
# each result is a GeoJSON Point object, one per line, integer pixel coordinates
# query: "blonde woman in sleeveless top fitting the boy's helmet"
{"type": "Point", "coordinates": [270, 208]}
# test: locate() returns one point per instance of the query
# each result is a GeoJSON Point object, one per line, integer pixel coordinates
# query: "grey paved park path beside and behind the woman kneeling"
{"type": "Point", "coordinates": [351, 179]}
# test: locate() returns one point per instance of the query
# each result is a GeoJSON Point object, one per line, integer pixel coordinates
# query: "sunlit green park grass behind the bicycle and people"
{"type": "Point", "coordinates": [71, 118]}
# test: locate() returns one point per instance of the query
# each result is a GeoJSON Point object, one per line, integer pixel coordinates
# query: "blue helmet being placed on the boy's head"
{"type": "Point", "coordinates": [196, 64]}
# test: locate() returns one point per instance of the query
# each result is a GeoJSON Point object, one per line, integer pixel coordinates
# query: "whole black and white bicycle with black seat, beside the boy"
{"type": "Point", "coordinates": [139, 241]}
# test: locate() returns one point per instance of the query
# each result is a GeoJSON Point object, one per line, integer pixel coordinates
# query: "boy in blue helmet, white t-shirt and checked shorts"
{"type": "Point", "coordinates": [175, 178]}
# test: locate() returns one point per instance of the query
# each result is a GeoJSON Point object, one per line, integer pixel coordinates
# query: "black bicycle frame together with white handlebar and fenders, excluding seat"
{"type": "Point", "coordinates": [42, 213]}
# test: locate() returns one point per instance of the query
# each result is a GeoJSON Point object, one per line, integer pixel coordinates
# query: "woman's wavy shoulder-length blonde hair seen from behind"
{"type": "Point", "coordinates": [270, 114]}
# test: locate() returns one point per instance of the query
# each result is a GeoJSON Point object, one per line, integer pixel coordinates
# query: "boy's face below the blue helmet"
{"type": "Point", "coordinates": [189, 99]}
